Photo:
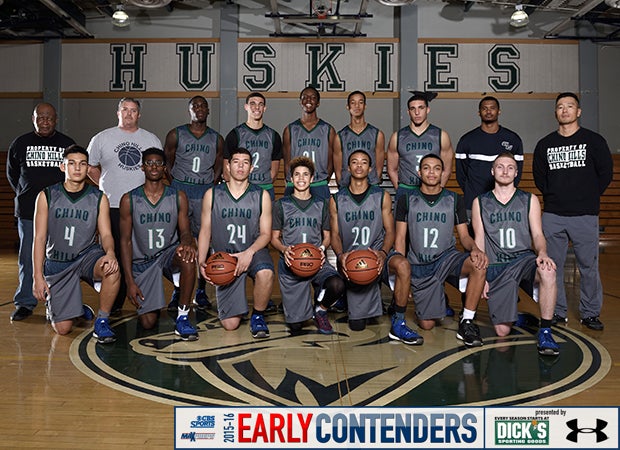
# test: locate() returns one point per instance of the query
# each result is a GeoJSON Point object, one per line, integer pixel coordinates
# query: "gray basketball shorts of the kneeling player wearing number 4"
{"type": "Point", "coordinates": [63, 279]}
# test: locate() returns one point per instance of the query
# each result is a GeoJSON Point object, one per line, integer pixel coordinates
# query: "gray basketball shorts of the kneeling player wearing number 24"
{"type": "Point", "coordinates": [232, 298]}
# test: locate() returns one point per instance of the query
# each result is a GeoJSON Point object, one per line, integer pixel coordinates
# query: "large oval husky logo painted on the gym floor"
{"type": "Point", "coordinates": [346, 368]}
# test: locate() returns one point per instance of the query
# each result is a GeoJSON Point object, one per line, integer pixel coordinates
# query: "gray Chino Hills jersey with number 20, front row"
{"type": "Point", "coordinates": [360, 224]}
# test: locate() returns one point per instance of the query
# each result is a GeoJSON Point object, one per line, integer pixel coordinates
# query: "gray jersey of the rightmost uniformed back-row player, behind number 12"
{"type": "Point", "coordinates": [411, 149]}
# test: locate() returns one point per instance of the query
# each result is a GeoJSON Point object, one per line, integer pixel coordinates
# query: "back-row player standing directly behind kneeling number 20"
{"type": "Point", "coordinates": [358, 135]}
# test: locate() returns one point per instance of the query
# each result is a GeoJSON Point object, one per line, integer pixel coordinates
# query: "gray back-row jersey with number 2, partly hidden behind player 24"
{"type": "Point", "coordinates": [260, 144]}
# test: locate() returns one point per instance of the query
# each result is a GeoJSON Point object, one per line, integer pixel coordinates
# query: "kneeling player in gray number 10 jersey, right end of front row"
{"type": "Point", "coordinates": [507, 221]}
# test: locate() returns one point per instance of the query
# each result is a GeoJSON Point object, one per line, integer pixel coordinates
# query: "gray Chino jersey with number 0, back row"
{"type": "Point", "coordinates": [195, 157]}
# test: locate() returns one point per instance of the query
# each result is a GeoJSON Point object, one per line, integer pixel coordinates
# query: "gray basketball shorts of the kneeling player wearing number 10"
{"type": "Point", "coordinates": [504, 281]}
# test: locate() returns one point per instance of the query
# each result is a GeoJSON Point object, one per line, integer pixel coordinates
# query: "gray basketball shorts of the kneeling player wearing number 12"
{"type": "Point", "coordinates": [427, 283]}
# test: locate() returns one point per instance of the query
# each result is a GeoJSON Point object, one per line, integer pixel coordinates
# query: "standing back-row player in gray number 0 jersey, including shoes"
{"type": "Point", "coordinates": [194, 154]}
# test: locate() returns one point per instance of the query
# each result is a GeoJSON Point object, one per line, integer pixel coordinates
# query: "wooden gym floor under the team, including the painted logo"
{"type": "Point", "coordinates": [66, 392]}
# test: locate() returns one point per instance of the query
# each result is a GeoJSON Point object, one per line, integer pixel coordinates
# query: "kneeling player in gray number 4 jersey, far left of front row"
{"type": "Point", "coordinates": [68, 216]}
